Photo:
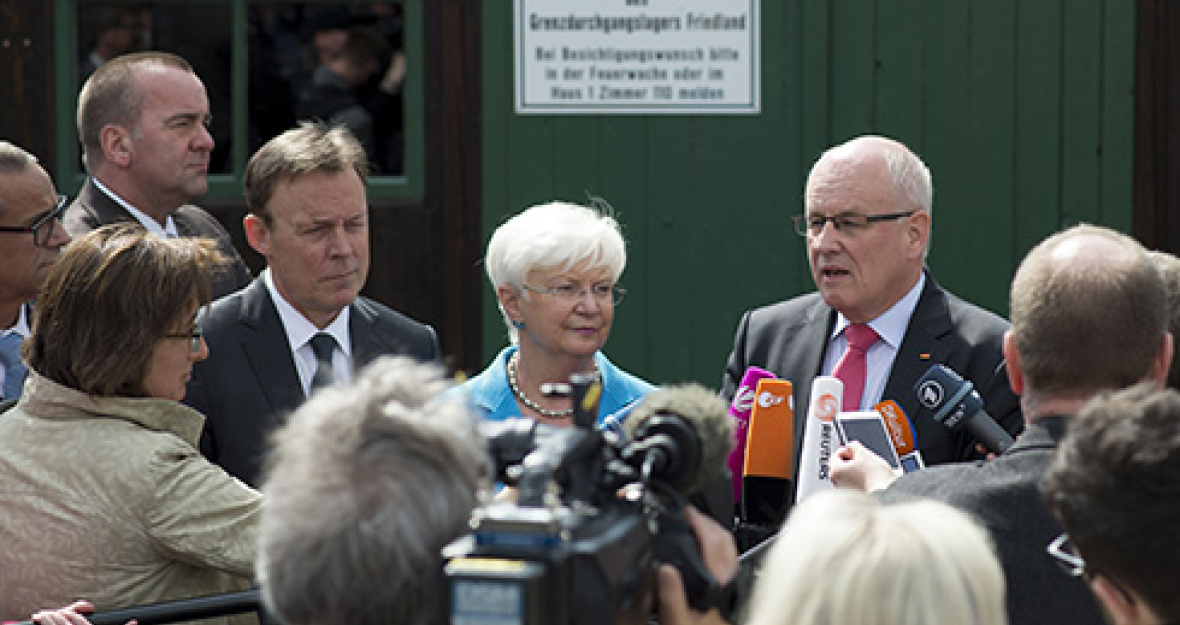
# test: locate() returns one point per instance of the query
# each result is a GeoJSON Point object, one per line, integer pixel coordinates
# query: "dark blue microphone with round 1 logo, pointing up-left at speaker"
{"type": "Point", "coordinates": [955, 404]}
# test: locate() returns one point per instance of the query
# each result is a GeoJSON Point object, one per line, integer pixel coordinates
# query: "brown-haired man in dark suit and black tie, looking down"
{"type": "Point", "coordinates": [303, 323]}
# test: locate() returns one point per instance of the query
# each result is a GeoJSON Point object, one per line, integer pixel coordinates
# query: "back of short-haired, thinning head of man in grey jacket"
{"type": "Point", "coordinates": [1090, 313]}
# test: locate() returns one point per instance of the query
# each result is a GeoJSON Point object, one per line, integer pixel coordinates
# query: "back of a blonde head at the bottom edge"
{"type": "Point", "coordinates": [844, 558]}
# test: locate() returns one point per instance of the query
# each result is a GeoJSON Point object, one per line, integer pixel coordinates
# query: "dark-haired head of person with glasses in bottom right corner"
{"type": "Point", "coordinates": [1116, 486]}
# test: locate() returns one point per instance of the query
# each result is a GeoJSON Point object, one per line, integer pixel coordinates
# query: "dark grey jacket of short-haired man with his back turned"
{"type": "Point", "coordinates": [1004, 495]}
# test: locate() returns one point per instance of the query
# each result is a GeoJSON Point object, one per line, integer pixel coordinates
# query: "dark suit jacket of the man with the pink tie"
{"type": "Point", "coordinates": [789, 339]}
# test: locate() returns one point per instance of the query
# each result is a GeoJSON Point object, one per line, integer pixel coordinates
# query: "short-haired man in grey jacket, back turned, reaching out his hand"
{"type": "Point", "coordinates": [1090, 314]}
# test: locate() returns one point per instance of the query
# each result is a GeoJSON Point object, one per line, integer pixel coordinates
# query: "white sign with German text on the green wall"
{"type": "Point", "coordinates": [648, 57]}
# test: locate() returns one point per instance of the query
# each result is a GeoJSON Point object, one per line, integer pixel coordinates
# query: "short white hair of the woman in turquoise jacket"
{"type": "Point", "coordinates": [558, 235]}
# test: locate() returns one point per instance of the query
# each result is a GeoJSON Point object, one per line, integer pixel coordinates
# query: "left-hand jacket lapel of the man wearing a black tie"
{"type": "Point", "coordinates": [267, 353]}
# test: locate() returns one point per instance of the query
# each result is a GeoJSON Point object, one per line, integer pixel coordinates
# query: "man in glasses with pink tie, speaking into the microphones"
{"type": "Point", "coordinates": [868, 223]}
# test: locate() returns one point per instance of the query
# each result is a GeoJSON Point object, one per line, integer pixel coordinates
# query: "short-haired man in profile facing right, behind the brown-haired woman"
{"type": "Point", "coordinates": [143, 123]}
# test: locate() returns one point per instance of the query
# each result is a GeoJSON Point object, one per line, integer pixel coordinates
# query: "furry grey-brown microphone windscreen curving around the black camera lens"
{"type": "Point", "coordinates": [705, 412]}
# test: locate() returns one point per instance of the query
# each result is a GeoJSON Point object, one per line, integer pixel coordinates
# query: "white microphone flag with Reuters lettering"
{"type": "Point", "coordinates": [820, 437]}
